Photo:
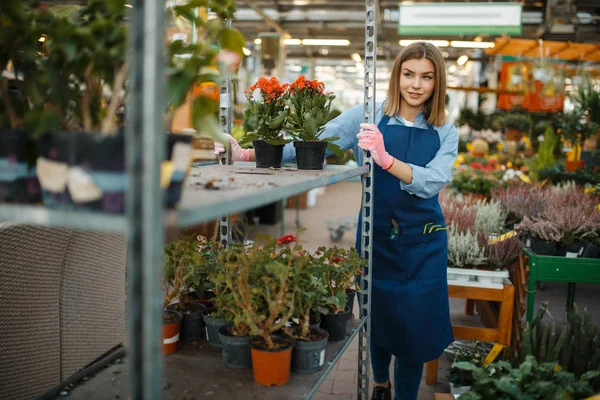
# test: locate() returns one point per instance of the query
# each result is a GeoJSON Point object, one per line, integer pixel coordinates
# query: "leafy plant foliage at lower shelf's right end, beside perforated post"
{"type": "Point", "coordinates": [337, 268]}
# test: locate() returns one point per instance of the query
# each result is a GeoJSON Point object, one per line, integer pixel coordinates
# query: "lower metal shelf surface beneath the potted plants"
{"type": "Point", "coordinates": [197, 372]}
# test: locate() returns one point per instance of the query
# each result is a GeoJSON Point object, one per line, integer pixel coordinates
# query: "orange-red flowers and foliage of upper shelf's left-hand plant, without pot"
{"type": "Point", "coordinates": [266, 111]}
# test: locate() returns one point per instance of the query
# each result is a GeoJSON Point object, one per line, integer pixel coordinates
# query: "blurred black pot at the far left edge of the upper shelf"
{"type": "Point", "coordinates": [18, 179]}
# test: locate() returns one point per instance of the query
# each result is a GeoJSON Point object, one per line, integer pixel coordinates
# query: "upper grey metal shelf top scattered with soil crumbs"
{"type": "Point", "coordinates": [216, 190]}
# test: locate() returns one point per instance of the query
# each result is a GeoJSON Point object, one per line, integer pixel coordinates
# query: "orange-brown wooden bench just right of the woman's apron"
{"type": "Point", "coordinates": [501, 334]}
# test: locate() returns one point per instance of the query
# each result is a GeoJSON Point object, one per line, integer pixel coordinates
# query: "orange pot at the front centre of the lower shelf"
{"type": "Point", "coordinates": [271, 367]}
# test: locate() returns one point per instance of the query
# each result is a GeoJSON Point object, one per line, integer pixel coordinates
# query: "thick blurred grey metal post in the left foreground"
{"type": "Point", "coordinates": [145, 143]}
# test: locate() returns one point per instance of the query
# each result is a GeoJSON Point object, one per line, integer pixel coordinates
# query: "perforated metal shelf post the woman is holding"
{"type": "Point", "coordinates": [364, 361]}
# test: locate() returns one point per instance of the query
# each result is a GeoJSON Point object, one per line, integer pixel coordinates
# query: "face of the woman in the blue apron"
{"type": "Point", "coordinates": [416, 81]}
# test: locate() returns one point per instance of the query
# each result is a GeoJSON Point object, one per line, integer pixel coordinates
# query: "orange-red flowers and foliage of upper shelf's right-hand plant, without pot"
{"type": "Point", "coordinates": [309, 106]}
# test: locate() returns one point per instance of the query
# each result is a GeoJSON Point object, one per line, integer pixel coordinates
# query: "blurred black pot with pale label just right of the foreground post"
{"type": "Point", "coordinates": [179, 148]}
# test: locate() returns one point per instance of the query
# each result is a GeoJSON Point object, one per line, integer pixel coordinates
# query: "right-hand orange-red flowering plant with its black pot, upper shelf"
{"type": "Point", "coordinates": [309, 106]}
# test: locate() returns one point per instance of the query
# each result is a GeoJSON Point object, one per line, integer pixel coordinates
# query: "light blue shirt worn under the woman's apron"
{"type": "Point", "coordinates": [427, 181]}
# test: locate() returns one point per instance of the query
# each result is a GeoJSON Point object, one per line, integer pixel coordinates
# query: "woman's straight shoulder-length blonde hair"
{"type": "Point", "coordinates": [434, 108]}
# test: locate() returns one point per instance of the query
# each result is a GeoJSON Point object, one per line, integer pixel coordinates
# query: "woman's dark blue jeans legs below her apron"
{"type": "Point", "coordinates": [407, 377]}
